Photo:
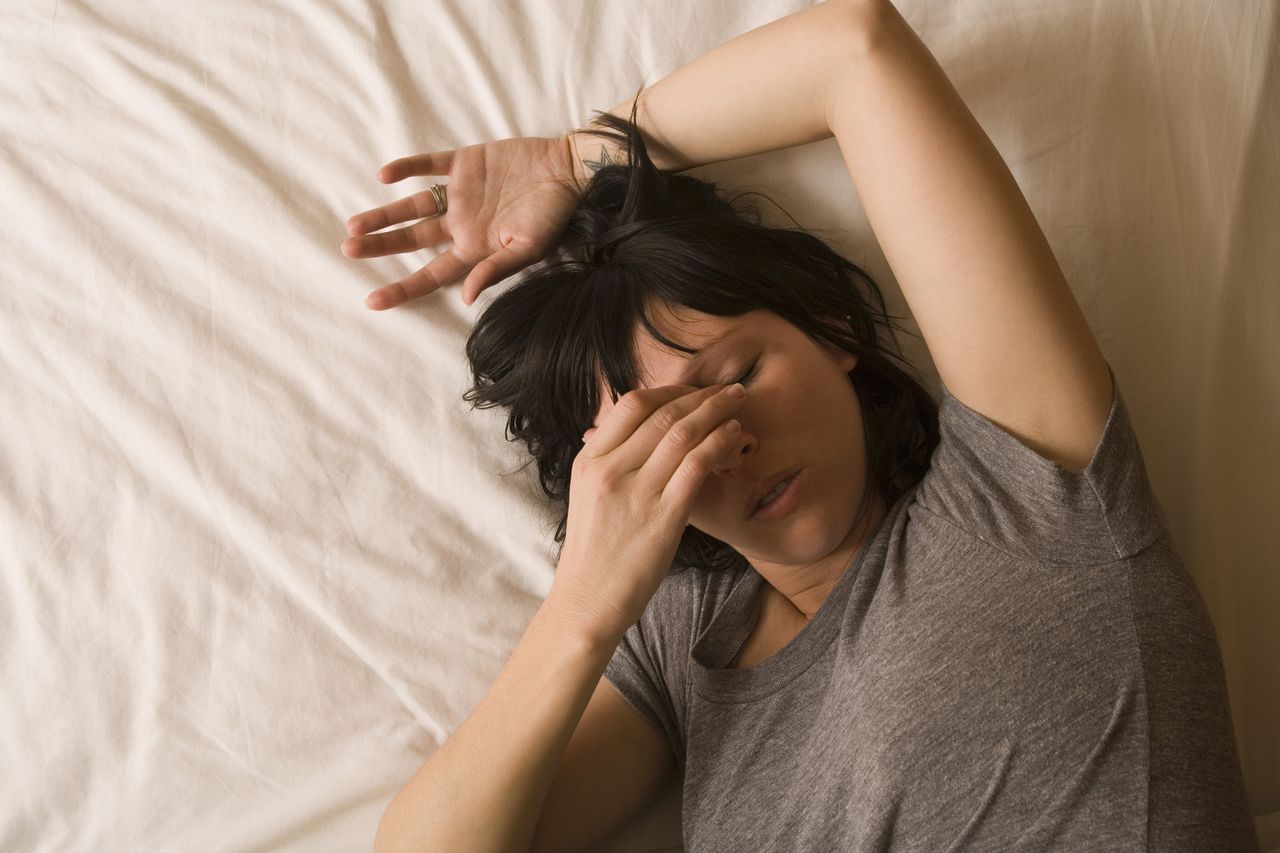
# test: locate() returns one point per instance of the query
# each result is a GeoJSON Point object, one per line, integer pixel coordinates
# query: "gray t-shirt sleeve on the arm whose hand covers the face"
{"type": "Point", "coordinates": [651, 665]}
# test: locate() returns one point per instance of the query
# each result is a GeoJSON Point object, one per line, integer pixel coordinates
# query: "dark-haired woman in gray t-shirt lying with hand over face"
{"type": "Point", "coordinates": [853, 619]}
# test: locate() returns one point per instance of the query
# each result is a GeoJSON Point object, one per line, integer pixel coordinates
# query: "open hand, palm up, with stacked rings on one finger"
{"type": "Point", "coordinates": [509, 202]}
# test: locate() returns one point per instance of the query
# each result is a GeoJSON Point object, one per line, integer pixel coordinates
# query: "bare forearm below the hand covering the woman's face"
{"type": "Point", "coordinates": [484, 788]}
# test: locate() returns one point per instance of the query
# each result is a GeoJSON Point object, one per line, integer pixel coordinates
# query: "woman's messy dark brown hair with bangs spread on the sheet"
{"type": "Point", "coordinates": [541, 348]}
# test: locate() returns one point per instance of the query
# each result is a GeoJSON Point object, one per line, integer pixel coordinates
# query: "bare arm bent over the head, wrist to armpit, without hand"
{"type": "Point", "coordinates": [1004, 330]}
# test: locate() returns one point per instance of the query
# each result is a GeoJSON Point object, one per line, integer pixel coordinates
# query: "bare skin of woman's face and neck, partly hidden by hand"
{"type": "Point", "coordinates": [803, 555]}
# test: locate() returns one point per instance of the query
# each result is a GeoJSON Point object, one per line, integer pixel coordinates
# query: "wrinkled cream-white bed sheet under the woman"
{"type": "Point", "coordinates": [258, 558]}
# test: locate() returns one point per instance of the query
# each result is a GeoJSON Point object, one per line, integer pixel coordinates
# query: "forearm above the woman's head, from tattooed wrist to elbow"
{"type": "Point", "coordinates": [769, 89]}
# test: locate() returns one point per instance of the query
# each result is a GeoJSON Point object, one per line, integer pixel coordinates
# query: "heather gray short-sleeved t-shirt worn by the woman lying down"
{"type": "Point", "coordinates": [1017, 660]}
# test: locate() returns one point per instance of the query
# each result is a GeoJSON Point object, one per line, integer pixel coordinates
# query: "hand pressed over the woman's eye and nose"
{"type": "Point", "coordinates": [632, 494]}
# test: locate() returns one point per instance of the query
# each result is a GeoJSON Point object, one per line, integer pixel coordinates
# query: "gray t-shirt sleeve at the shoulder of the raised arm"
{"type": "Point", "coordinates": [1000, 491]}
